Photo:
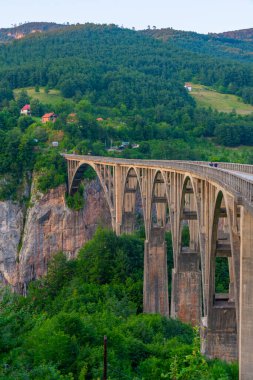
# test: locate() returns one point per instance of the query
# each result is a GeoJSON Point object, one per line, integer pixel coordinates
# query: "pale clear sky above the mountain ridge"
{"type": "Point", "coordinates": [201, 16]}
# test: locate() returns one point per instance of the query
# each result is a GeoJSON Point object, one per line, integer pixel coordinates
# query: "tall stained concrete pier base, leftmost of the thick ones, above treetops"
{"type": "Point", "coordinates": [155, 289]}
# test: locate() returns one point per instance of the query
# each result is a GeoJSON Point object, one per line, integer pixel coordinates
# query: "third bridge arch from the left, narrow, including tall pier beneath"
{"type": "Point", "coordinates": [155, 287]}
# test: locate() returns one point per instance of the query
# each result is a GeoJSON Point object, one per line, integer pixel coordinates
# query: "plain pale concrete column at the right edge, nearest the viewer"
{"type": "Point", "coordinates": [246, 297]}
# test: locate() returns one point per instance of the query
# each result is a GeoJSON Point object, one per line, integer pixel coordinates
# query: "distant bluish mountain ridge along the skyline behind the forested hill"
{"type": "Point", "coordinates": [227, 45]}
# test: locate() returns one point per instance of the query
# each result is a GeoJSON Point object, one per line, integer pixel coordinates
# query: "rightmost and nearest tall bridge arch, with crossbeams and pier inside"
{"type": "Point", "coordinates": [221, 308]}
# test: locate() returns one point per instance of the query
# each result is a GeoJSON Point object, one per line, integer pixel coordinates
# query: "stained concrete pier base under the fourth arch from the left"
{"type": "Point", "coordinates": [186, 289]}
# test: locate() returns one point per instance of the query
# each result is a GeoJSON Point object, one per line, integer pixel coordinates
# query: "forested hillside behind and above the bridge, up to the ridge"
{"type": "Point", "coordinates": [131, 81]}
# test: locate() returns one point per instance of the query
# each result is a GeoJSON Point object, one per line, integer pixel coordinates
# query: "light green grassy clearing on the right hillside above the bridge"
{"type": "Point", "coordinates": [207, 97]}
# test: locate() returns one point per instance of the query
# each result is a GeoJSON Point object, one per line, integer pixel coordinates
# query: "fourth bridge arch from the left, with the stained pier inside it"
{"type": "Point", "coordinates": [187, 298]}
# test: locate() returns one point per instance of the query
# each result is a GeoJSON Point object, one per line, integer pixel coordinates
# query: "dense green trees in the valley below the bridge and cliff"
{"type": "Point", "coordinates": [57, 331]}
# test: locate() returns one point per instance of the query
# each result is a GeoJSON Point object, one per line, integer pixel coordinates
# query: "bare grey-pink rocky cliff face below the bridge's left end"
{"type": "Point", "coordinates": [50, 226]}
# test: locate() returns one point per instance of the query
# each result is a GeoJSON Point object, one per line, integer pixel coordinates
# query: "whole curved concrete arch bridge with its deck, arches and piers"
{"type": "Point", "coordinates": [217, 205]}
